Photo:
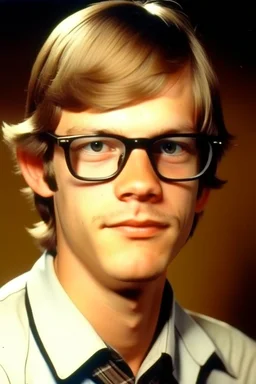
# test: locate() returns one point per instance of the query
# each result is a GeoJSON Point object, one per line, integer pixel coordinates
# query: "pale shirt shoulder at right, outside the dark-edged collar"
{"type": "Point", "coordinates": [237, 349]}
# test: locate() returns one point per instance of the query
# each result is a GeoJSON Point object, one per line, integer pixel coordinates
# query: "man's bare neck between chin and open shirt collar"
{"type": "Point", "coordinates": [125, 318]}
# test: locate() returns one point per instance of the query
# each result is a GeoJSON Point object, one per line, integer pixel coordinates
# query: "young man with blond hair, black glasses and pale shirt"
{"type": "Point", "coordinates": [119, 148]}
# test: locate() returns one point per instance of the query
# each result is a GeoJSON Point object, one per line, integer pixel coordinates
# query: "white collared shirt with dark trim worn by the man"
{"type": "Point", "coordinates": [70, 340]}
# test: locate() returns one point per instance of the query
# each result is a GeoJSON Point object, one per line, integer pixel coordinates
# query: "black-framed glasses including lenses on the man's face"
{"type": "Point", "coordinates": [174, 157]}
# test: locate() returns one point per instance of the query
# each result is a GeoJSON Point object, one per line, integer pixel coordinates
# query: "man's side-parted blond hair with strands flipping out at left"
{"type": "Point", "coordinates": [106, 56]}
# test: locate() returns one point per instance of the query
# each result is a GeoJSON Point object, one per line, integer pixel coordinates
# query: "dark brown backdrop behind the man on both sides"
{"type": "Point", "coordinates": [216, 272]}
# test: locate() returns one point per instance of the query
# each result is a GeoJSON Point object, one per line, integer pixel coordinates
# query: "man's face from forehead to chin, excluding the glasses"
{"type": "Point", "coordinates": [130, 228]}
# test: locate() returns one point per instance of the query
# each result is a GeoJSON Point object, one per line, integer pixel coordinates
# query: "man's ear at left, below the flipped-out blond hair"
{"type": "Point", "coordinates": [32, 169]}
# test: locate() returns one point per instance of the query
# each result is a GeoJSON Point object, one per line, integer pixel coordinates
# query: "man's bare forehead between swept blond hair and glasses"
{"type": "Point", "coordinates": [171, 110]}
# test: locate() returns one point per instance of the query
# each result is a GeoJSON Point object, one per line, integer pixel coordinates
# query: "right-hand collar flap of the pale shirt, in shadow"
{"type": "Point", "coordinates": [198, 345]}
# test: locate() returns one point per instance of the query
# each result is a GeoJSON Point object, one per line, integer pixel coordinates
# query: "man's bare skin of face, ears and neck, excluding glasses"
{"type": "Point", "coordinates": [104, 265]}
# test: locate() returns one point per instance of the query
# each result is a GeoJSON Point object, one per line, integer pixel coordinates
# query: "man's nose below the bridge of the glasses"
{"type": "Point", "coordinates": [138, 180]}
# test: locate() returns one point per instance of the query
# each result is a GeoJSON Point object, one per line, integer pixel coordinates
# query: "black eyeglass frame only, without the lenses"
{"type": "Point", "coordinates": [134, 143]}
